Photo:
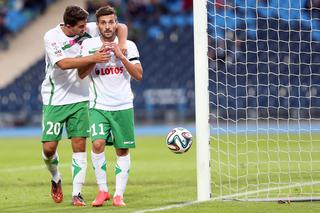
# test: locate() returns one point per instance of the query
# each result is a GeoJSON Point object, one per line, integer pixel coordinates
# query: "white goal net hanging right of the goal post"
{"type": "Point", "coordinates": [264, 99]}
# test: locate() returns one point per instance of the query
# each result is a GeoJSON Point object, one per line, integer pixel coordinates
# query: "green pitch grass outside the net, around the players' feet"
{"type": "Point", "coordinates": [158, 178]}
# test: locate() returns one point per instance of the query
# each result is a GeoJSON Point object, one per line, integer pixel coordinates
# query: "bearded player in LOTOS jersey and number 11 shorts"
{"type": "Point", "coordinates": [111, 104]}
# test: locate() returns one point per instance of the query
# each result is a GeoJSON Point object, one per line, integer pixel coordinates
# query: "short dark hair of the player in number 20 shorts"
{"type": "Point", "coordinates": [73, 14]}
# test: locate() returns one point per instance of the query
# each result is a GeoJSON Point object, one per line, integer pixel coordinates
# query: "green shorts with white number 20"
{"type": "Point", "coordinates": [74, 116]}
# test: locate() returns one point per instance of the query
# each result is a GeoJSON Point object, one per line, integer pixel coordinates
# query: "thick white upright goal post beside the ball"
{"type": "Point", "coordinates": [202, 100]}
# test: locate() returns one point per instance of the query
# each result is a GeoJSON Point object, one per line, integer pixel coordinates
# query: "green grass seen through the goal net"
{"type": "Point", "coordinates": [257, 162]}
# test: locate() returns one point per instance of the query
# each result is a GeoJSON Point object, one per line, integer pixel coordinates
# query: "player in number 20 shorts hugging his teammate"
{"type": "Point", "coordinates": [65, 96]}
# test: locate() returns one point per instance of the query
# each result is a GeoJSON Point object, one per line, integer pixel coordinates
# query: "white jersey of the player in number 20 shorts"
{"type": "Point", "coordinates": [62, 87]}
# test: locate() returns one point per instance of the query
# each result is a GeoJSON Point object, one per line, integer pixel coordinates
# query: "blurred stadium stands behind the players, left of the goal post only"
{"type": "Point", "coordinates": [162, 30]}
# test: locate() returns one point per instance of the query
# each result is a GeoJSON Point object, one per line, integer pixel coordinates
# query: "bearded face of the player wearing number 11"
{"type": "Point", "coordinates": [107, 26]}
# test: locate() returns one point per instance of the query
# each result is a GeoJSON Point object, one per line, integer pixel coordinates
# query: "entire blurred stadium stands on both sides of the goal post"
{"type": "Point", "coordinates": [263, 56]}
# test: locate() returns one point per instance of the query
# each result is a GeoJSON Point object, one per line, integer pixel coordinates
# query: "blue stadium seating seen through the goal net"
{"type": "Point", "coordinates": [257, 57]}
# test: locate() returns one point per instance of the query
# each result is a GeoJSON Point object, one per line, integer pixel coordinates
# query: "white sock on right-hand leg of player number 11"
{"type": "Point", "coordinates": [122, 174]}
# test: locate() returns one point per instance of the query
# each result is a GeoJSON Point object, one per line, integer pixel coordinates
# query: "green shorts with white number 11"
{"type": "Point", "coordinates": [116, 127]}
